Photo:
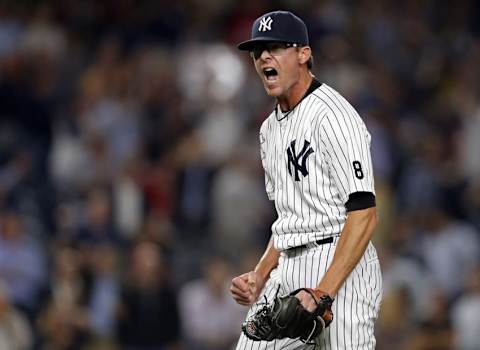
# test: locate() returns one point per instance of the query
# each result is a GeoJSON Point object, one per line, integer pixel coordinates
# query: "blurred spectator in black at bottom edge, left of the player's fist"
{"type": "Point", "coordinates": [148, 317]}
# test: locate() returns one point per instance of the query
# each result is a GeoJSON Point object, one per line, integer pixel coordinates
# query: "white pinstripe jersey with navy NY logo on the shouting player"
{"type": "Point", "coordinates": [314, 157]}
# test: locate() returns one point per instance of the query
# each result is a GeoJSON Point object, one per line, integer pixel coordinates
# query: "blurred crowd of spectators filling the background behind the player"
{"type": "Point", "coordinates": [131, 189]}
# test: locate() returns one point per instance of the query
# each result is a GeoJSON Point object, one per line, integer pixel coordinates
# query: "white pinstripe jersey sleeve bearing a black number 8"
{"type": "Point", "coordinates": [346, 146]}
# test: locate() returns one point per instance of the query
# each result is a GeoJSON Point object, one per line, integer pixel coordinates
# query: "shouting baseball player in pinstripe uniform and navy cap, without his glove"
{"type": "Point", "coordinates": [315, 151]}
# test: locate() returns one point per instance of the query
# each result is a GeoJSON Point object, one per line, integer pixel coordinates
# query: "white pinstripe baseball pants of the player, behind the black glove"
{"type": "Point", "coordinates": [356, 304]}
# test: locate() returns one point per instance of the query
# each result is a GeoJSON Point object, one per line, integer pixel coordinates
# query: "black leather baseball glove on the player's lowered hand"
{"type": "Point", "coordinates": [287, 318]}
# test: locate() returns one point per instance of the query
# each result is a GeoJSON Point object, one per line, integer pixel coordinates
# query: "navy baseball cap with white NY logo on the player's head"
{"type": "Point", "coordinates": [282, 26]}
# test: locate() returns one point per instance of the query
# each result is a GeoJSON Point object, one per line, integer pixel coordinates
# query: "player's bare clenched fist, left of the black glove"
{"type": "Point", "coordinates": [246, 288]}
